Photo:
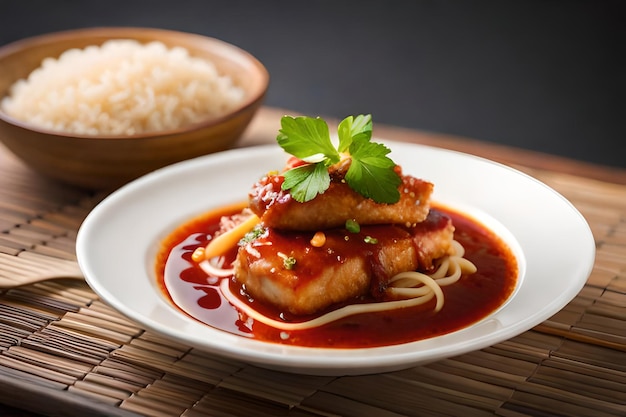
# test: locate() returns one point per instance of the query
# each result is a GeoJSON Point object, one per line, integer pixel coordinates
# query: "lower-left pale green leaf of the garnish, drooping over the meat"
{"type": "Point", "coordinates": [306, 181]}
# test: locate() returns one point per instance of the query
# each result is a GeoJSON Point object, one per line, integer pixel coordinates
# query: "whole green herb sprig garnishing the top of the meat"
{"type": "Point", "coordinates": [371, 172]}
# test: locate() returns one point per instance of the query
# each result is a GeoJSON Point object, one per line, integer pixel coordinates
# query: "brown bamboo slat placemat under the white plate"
{"type": "Point", "coordinates": [64, 352]}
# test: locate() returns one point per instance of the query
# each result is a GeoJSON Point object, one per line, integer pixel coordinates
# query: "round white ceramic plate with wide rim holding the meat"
{"type": "Point", "coordinates": [117, 243]}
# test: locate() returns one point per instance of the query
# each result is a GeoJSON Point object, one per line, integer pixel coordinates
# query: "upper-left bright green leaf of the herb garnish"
{"type": "Point", "coordinates": [307, 138]}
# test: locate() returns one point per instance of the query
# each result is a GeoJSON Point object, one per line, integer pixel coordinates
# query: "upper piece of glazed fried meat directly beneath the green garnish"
{"type": "Point", "coordinates": [277, 209]}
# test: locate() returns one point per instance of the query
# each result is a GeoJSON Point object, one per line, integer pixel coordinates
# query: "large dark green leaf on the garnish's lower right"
{"type": "Point", "coordinates": [371, 172]}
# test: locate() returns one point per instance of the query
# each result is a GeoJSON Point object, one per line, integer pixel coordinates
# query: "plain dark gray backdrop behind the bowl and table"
{"type": "Point", "coordinates": [540, 75]}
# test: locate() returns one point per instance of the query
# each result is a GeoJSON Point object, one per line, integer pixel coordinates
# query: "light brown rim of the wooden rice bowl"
{"type": "Point", "coordinates": [121, 32]}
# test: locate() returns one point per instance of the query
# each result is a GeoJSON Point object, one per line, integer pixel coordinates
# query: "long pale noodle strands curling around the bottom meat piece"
{"type": "Point", "coordinates": [408, 289]}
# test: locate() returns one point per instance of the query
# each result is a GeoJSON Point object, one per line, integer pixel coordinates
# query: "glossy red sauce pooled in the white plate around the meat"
{"type": "Point", "coordinates": [467, 301]}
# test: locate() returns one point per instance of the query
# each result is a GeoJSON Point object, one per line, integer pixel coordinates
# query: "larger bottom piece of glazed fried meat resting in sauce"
{"type": "Point", "coordinates": [283, 269]}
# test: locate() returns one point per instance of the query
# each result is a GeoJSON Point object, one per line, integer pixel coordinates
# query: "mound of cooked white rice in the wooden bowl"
{"type": "Point", "coordinates": [121, 88]}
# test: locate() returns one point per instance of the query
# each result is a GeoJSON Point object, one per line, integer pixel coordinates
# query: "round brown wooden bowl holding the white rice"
{"type": "Point", "coordinates": [109, 161]}
